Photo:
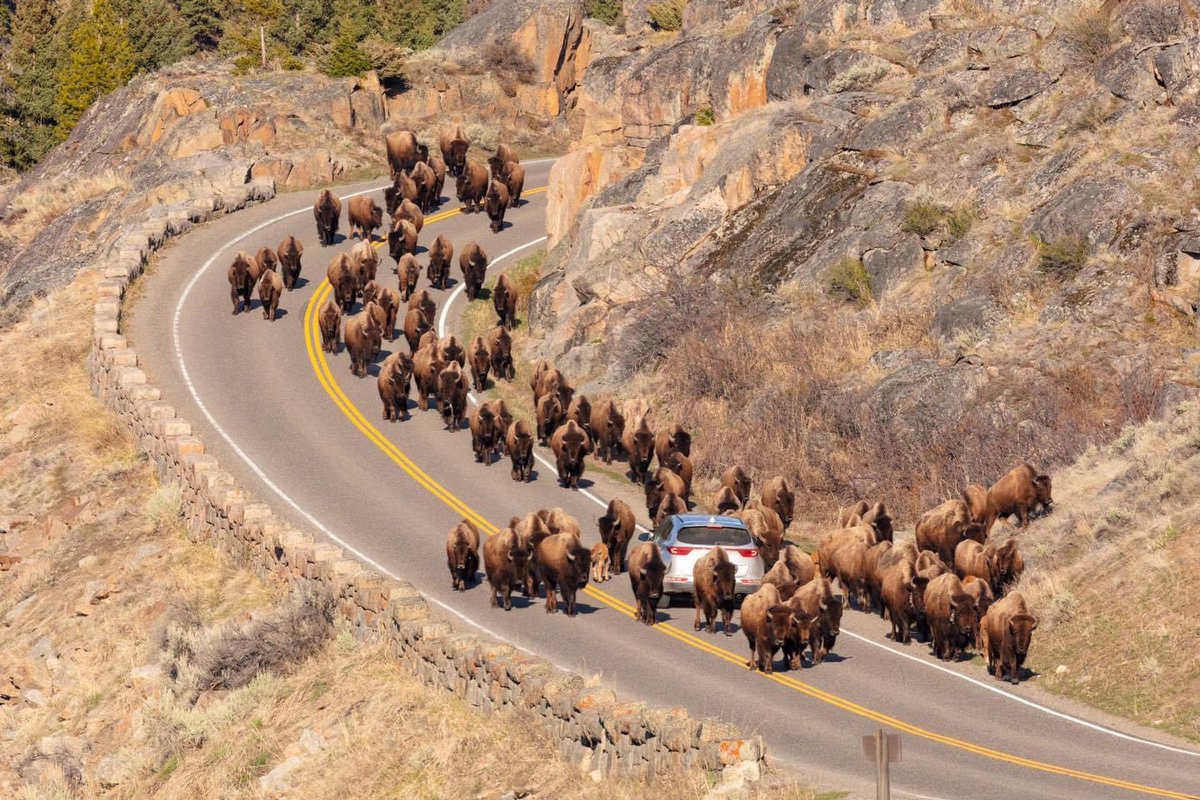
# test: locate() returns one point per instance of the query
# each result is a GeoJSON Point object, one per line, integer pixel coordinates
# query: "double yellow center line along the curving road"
{"type": "Point", "coordinates": [326, 378]}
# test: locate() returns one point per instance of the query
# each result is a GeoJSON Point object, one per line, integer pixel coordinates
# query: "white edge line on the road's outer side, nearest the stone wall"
{"type": "Point", "coordinates": [255, 468]}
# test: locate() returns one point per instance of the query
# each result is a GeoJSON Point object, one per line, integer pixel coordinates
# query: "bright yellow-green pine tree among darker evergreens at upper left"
{"type": "Point", "coordinates": [101, 61]}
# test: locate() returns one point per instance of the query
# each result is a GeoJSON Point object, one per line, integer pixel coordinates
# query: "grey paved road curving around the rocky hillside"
{"type": "Point", "coordinates": [308, 437]}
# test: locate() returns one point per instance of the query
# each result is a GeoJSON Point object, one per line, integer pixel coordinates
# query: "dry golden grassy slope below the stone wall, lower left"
{"type": "Point", "coordinates": [98, 580]}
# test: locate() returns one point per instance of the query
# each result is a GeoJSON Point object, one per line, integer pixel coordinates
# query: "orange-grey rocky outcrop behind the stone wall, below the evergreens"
{"type": "Point", "coordinates": [167, 139]}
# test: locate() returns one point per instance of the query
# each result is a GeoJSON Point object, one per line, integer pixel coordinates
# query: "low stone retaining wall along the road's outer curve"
{"type": "Point", "coordinates": [593, 729]}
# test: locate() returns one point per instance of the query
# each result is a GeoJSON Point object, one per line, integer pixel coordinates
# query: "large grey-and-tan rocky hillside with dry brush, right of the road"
{"type": "Point", "coordinates": [887, 248]}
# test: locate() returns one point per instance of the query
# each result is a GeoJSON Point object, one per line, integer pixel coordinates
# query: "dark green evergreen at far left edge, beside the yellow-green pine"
{"type": "Point", "coordinates": [29, 106]}
